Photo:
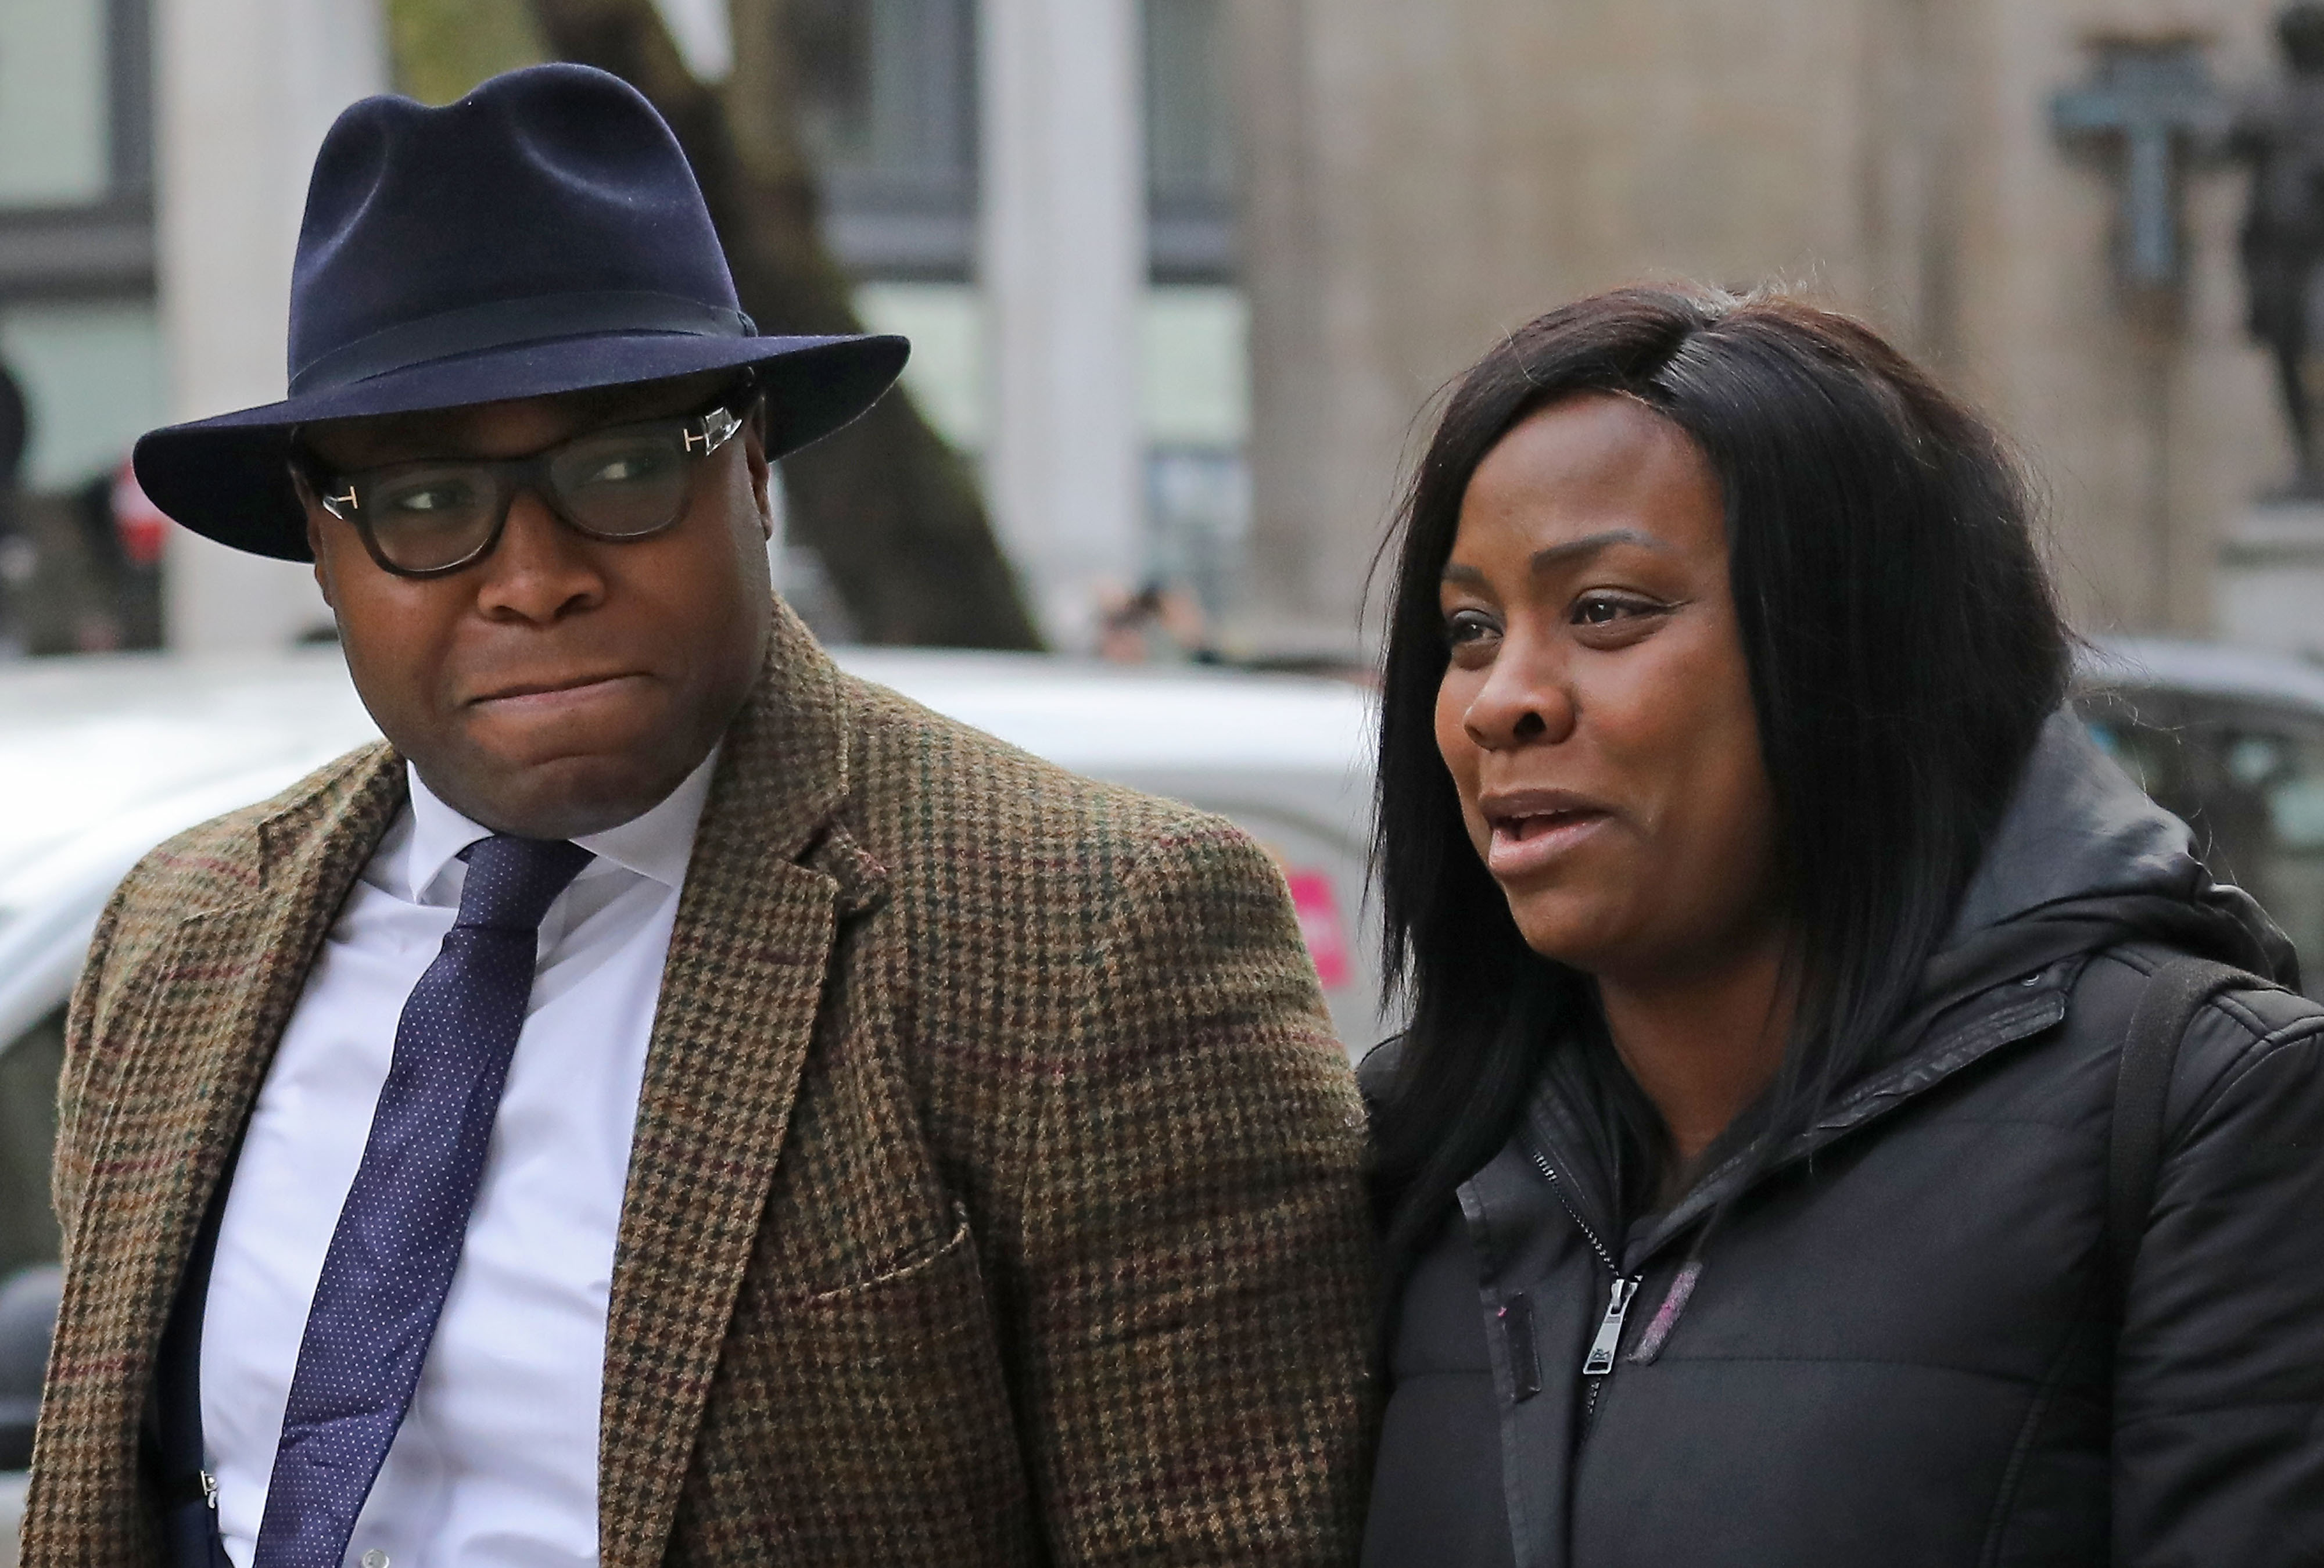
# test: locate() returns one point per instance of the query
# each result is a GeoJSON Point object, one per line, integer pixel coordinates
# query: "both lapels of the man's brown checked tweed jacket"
{"type": "Point", "coordinates": [773, 877]}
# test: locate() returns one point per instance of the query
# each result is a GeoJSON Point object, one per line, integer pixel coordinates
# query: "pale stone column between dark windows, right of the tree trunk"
{"type": "Point", "coordinates": [1063, 266]}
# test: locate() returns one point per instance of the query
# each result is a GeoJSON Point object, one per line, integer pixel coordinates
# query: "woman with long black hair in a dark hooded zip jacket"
{"type": "Point", "coordinates": [1839, 1123]}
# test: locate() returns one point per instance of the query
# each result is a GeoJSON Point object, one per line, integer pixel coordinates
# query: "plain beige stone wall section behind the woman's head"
{"type": "Point", "coordinates": [1426, 178]}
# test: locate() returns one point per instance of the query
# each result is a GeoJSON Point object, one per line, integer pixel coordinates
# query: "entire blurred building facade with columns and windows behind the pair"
{"type": "Point", "coordinates": [1184, 273]}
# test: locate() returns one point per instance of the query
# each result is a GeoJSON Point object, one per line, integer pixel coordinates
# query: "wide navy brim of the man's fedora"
{"type": "Point", "coordinates": [229, 480]}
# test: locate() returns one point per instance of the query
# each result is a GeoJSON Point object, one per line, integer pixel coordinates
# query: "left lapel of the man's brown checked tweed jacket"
{"type": "Point", "coordinates": [208, 1007]}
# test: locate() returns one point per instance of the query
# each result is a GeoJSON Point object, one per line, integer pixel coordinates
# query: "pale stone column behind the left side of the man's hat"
{"type": "Point", "coordinates": [245, 94]}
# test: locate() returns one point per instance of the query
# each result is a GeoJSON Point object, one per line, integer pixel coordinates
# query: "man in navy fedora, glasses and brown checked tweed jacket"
{"type": "Point", "coordinates": [668, 1102]}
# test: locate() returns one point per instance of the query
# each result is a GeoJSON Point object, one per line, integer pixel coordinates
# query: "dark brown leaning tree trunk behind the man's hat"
{"type": "Point", "coordinates": [894, 510]}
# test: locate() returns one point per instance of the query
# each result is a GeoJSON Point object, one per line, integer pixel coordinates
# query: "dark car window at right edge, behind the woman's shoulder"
{"type": "Point", "coordinates": [2248, 779]}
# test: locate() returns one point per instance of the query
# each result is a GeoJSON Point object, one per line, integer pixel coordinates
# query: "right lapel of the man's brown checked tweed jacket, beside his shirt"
{"type": "Point", "coordinates": [740, 998]}
